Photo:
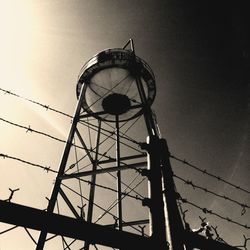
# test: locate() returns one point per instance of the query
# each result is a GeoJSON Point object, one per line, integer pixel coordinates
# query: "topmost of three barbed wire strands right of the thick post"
{"type": "Point", "coordinates": [204, 171]}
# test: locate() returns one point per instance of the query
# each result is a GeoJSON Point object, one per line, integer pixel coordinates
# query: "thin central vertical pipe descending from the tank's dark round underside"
{"type": "Point", "coordinates": [118, 163]}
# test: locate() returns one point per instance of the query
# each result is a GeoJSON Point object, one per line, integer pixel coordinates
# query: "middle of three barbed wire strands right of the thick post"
{"type": "Point", "coordinates": [190, 183]}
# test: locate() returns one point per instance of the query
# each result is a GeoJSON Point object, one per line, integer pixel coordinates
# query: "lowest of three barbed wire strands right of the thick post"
{"type": "Point", "coordinates": [211, 212]}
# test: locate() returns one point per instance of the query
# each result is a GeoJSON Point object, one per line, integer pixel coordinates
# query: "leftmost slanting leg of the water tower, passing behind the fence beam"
{"type": "Point", "coordinates": [64, 159]}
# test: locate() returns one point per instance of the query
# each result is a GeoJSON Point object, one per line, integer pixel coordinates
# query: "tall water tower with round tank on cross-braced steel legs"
{"type": "Point", "coordinates": [115, 88]}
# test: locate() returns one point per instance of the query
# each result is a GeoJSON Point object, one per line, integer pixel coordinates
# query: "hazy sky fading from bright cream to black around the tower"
{"type": "Point", "coordinates": [199, 53]}
